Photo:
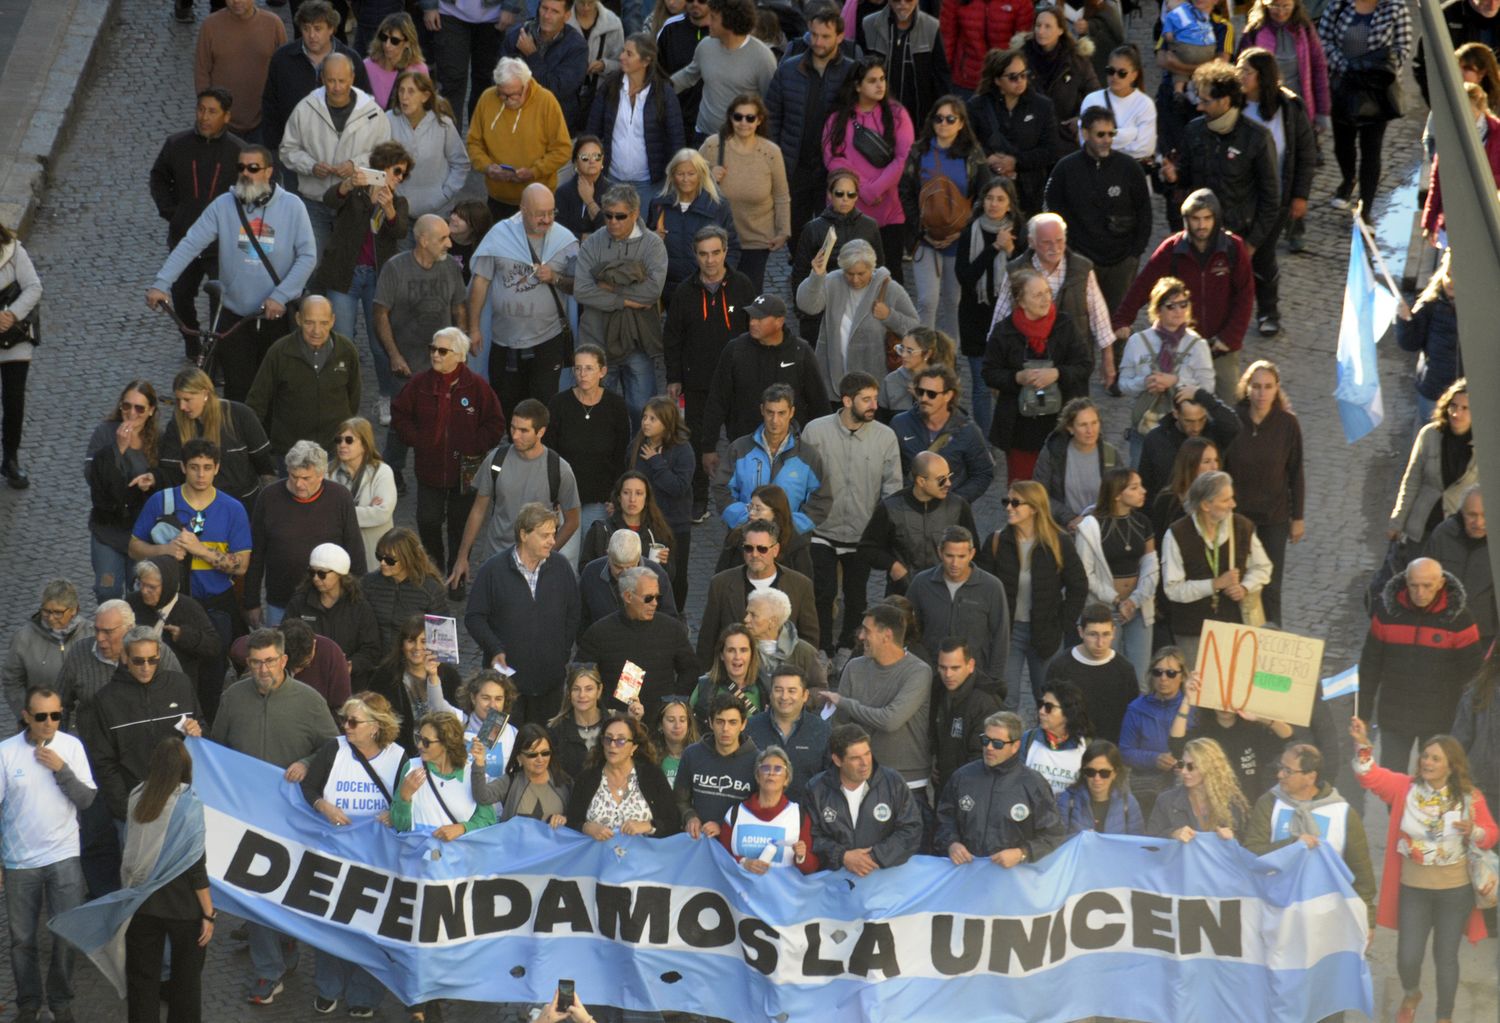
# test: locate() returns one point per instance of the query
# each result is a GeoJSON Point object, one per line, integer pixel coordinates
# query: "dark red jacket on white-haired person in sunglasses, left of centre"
{"type": "Point", "coordinates": [445, 419]}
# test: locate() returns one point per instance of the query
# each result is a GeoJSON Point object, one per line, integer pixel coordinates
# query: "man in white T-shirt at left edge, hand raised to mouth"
{"type": "Point", "coordinates": [44, 784]}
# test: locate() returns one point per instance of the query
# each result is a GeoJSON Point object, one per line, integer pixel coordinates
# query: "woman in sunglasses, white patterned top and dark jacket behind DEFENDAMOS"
{"type": "Point", "coordinates": [622, 791]}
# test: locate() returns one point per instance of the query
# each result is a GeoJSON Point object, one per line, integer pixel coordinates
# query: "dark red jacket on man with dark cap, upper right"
{"type": "Point", "coordinates": [1223, 289]}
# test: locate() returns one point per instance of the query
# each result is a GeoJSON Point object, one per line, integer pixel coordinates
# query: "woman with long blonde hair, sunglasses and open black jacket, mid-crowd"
{"type": "Point", "coordinates": [1045, 584]}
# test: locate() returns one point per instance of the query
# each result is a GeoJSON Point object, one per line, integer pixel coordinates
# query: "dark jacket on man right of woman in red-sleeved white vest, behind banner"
{"type": "Point", "coordinates": [890, 823]}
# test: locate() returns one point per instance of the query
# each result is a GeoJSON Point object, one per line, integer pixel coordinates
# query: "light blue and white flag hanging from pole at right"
{"type": "Point", "coordinates": [1369, 311]}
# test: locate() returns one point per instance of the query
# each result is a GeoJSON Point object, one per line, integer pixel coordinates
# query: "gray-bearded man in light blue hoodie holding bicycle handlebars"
{"type": "Point", "coordinates": [266, 256]}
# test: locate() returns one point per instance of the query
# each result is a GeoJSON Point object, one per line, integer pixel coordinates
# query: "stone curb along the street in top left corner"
{"type": "Point", "coordinates": [25, 173]}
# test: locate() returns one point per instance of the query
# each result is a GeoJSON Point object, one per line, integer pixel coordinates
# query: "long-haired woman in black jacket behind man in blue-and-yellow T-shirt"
{"type": "Point", "coordinates": [245, 454]}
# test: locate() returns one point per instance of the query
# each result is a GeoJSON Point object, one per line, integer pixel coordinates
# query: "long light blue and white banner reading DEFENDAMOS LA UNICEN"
{"type": "Point", "coordinates": [1111, 926]}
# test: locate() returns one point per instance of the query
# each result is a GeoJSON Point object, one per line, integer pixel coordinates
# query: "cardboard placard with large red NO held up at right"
{"type": "Point", "coordinates": [1271, 674]}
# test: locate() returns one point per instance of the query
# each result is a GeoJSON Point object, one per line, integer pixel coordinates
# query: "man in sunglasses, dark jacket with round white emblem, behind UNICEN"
{"type": "Point", "coordinates": [997, 806]}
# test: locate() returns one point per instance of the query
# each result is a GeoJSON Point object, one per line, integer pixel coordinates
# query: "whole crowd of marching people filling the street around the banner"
{"type": "Point", "coordinates": [587, 364]}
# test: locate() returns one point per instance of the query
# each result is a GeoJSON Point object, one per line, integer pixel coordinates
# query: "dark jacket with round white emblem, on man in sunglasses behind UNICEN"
{"type": "Point", "coordinates": [1003, 808]}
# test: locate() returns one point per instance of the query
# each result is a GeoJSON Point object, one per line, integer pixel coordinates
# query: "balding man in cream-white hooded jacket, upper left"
{"type": "Point", "coordinates": [331, 136]}
